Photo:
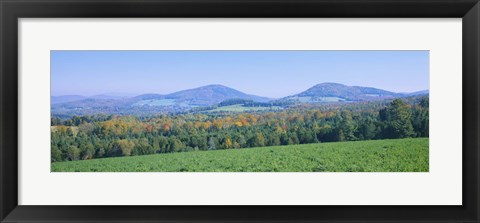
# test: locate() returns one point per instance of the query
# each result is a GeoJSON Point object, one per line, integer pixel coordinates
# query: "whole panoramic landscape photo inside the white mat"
{"type": "Point", "coordinates": [239, 111]}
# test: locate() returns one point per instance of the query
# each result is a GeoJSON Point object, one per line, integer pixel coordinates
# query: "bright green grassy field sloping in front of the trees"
{"type": "Point", "coordinates": [395, 155]}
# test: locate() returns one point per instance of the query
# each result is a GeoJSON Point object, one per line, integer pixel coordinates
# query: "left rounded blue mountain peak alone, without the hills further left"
{"type": "Point", "coordinates": [210, 95]}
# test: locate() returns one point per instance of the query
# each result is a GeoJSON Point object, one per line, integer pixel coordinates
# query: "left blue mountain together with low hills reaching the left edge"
{"type": "Point", "coordinates": [153, 103]}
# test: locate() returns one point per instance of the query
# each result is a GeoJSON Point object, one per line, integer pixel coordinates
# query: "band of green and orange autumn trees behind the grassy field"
{"type": "Point", "coordinates": [99, 136]}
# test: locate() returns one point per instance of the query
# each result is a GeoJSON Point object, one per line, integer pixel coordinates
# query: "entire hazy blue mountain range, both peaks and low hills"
{"type": "Point", "coordinates": [212, 95]}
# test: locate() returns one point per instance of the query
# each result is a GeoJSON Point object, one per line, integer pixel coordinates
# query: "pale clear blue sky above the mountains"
{"type": "Point", "coordinates": [265, 73]}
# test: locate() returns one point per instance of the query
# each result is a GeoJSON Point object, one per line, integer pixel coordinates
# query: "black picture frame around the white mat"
{"type": "Point", "coordinates": [12, 10]}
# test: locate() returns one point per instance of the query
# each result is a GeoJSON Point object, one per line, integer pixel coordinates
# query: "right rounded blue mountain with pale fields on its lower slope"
{"type": "Point", "coordinates": [334, 92]}
